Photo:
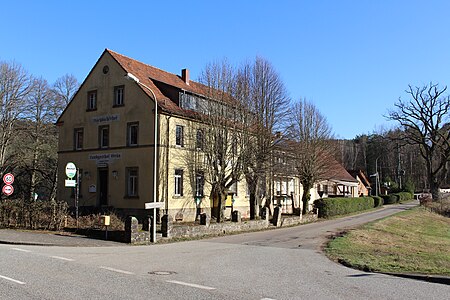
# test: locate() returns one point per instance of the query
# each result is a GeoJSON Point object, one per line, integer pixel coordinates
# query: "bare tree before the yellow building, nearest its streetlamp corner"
{"type": "Point", "coordinates": [222, 133]}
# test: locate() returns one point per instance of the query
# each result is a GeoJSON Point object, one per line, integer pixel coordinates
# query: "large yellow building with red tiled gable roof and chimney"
{"type": "Point", "coordinates": [108, 132]}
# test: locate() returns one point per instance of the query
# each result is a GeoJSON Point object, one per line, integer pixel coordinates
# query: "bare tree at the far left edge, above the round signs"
{"type": "Point", "coordinates": [15, 87]}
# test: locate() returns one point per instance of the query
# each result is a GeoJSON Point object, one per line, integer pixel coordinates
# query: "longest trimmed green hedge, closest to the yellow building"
{"type": "Point", "coordinates": [329, 207]}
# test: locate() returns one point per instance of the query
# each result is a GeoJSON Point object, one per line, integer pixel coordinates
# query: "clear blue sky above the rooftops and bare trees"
{"type": "Point", "coordinates": [353, 59]}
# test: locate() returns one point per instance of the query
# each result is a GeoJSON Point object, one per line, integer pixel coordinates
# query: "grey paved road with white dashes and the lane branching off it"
{"type": "Point", "coordinates": [262, 265]}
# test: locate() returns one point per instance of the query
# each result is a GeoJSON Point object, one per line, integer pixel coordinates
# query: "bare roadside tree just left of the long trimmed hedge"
{"type": "Point", "coordinates": [311, 134]}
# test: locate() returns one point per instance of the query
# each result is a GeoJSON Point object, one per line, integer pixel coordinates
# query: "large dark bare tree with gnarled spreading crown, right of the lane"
{"type": "Point", "coordinates": [425, 122]}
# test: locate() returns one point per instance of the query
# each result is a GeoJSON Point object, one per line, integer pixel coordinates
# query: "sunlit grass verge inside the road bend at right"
{"type": "Point", "coordinates": [415, 241]}
